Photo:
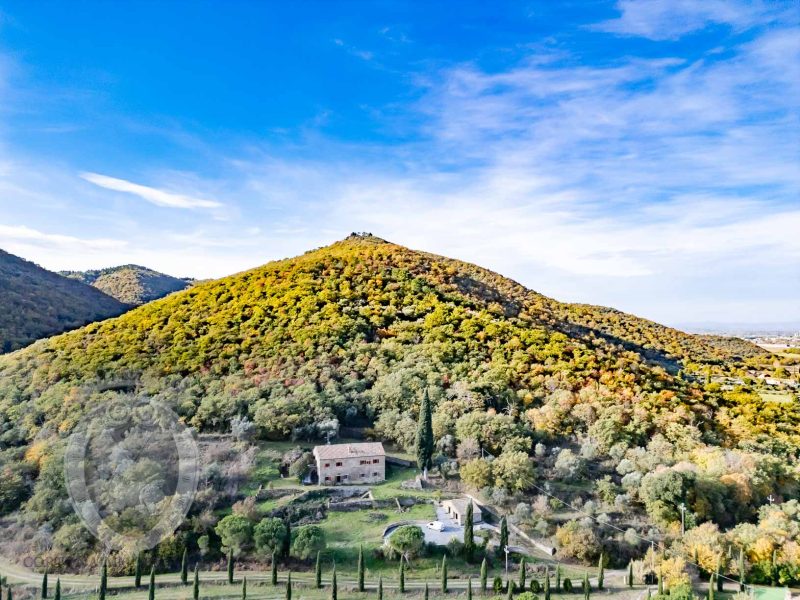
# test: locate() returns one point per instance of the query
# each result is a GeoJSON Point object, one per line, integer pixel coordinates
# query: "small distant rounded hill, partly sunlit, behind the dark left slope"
{"type": "Point", "coordinates": [131, 284]}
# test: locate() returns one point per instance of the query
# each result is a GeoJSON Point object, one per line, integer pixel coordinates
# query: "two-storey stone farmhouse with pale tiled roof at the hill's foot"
{"type": "Point", "coordinates": [350, 464]}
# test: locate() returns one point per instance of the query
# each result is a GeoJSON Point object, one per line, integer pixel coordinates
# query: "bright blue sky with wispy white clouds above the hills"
{"type": "Point", "coordinates": [638, 154]}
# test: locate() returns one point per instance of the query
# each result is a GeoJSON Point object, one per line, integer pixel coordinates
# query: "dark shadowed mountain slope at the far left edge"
{"type": "Point", "coordinates": [37, 303]}
